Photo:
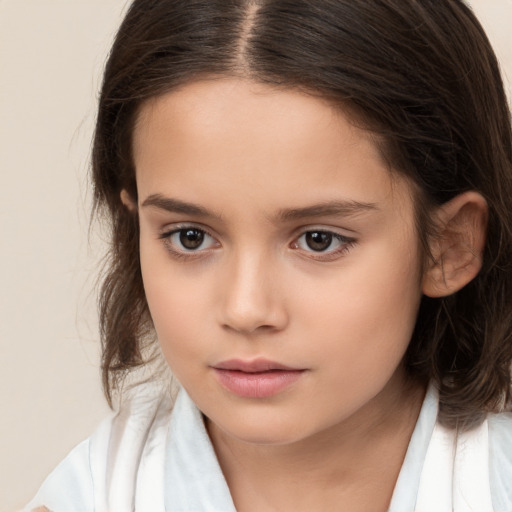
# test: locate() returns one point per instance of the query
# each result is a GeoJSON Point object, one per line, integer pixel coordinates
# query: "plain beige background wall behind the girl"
{"type": "Point", "coordinates": [51, 56]}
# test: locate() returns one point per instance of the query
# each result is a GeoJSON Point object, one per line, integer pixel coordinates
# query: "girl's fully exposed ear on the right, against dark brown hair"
{"type": "Point", "coordinates": [458, 249]}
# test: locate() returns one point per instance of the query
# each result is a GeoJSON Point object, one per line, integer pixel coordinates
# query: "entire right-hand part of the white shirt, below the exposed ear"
{"type": "Point", "coordinates": [449, 469]}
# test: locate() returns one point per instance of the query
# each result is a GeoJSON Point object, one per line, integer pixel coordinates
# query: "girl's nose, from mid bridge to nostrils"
{"type": "Point", "coordinates": [253, 296]}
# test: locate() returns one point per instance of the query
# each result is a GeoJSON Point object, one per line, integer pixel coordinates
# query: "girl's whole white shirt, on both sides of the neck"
{"type": "Point", "coordinates": [152, 457]}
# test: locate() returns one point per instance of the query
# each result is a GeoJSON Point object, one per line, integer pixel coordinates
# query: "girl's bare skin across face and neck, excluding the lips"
{"type": "Point", "coordinates": [250, 157]}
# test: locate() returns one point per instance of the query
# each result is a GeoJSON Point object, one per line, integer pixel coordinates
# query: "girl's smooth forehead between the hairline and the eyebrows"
{"type": "Point", "coordinates": [255, 142]}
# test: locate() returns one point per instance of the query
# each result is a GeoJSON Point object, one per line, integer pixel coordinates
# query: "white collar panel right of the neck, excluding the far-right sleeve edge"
{"type": "Point", "coordinates": [444, 471]}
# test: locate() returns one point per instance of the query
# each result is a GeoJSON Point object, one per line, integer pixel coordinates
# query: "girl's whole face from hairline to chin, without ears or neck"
{"type": "Point", "coordinates": [271, 230]}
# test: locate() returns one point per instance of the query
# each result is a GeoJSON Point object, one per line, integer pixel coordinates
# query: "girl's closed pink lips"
{"type": "Point", "coordinates": [260, 378]}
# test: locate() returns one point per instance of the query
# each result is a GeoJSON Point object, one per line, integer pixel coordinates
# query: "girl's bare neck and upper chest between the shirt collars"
{"type": "Point", "coordinates": [357, 458]}
